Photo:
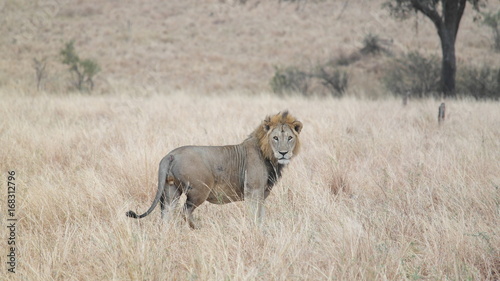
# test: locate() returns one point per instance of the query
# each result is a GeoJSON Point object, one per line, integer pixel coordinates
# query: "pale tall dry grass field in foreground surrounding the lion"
{"type": "Point", "coordinates": [379, 192]}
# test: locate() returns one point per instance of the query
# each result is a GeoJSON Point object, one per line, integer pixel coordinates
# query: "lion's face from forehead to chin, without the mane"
{"type": "Point", "coordinates": [282, 140]}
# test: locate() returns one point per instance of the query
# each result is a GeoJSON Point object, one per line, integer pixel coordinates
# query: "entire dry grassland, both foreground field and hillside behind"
{"type": "Point", "coordinates": [379, 191]}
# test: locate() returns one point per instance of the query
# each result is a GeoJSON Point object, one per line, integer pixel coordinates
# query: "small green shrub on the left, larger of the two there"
{"type": "Point", "coordinates": [83, 71]}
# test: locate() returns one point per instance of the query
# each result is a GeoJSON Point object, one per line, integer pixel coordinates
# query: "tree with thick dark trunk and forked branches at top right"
{"type": "Point", "coordinates": [446, 22]}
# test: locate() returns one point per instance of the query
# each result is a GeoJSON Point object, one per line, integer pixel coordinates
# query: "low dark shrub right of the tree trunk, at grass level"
{"type": "Point", "coordinates": [481, 83]}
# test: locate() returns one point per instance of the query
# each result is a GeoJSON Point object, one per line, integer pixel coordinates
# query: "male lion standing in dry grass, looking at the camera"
{"type": "Point", "coordinates": [224, 174]}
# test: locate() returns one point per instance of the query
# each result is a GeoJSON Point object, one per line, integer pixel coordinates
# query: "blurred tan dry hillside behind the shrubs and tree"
{"type": "Point", "coordinates": [213, 45]}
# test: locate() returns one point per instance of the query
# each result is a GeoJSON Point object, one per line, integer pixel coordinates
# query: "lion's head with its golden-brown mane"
{"type": "Point", "coordinates": [278, 137]}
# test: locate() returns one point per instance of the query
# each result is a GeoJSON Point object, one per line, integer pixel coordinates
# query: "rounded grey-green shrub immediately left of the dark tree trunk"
{"type": "Point", "coordinates": [415, 75]}
